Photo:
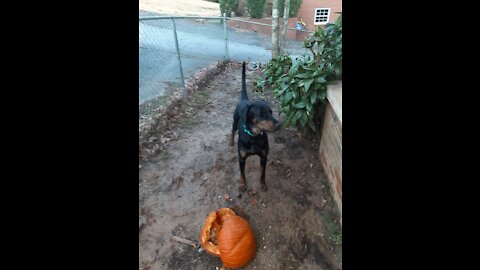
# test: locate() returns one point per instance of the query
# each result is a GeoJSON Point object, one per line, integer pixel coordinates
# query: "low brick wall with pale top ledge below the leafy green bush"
{"type": "Point", "coordinates": [331, 143]}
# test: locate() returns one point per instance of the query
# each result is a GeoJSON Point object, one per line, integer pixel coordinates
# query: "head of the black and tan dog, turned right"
{"type": "Point", "coordinates": [259, 116]}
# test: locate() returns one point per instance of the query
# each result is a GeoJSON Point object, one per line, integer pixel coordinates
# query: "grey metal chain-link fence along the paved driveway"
{"type": "Point", "coordinates": [173, 49]}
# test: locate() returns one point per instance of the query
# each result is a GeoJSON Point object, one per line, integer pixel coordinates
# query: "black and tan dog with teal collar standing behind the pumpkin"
{"type": "Point", "coordinates": [252, 119]}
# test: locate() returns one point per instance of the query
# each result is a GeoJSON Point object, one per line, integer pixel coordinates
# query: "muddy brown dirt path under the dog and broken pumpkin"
{"type": "Point", "coordinates": [293, 221]}
